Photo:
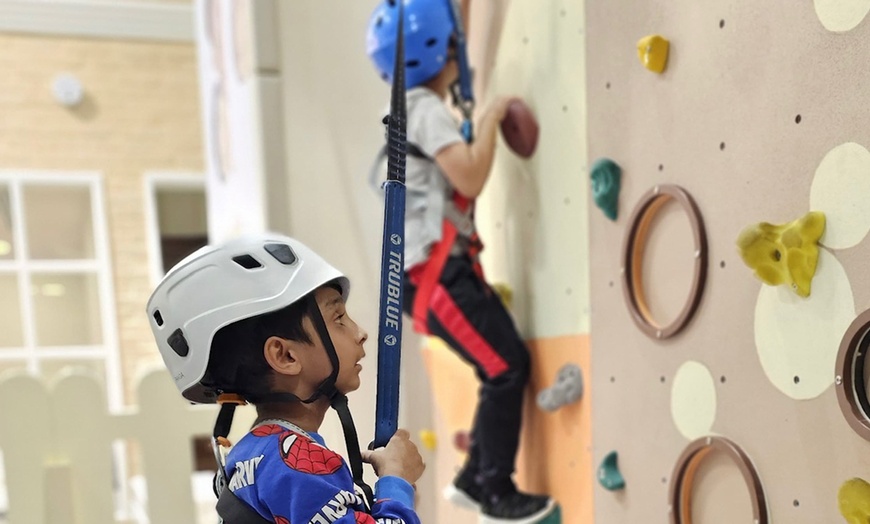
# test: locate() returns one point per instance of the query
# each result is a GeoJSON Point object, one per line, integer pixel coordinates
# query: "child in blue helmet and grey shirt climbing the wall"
{"type": "Point", "coordinates": [445, 290]}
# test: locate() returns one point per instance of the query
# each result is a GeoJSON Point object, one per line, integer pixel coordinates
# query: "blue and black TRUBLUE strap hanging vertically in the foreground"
{"type": "Point", "coordinates": [392, 255]}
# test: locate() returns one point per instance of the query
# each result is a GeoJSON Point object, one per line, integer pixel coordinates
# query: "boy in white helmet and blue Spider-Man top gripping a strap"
{"type": "Point", "coordinates": [262, 319]}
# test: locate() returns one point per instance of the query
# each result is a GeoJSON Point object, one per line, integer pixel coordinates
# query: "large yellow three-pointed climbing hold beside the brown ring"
{"type": "Point", "coordinates": [784, 254]}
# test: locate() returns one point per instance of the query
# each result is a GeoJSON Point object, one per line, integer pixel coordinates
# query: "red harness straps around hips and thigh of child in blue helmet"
{"type": "Point", "coordinates": [427, 274]}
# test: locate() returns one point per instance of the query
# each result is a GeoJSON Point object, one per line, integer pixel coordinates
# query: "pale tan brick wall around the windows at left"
{"type": "Point", "coordinates": [140, 113]}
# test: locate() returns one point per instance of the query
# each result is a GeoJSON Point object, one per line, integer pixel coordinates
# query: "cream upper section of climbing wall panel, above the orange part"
{"type": "Point", "coordinates": [533, 213]}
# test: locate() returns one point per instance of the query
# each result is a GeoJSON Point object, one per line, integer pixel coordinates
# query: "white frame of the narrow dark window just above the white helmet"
{"type": "Point", "coordinates": [155, 181]}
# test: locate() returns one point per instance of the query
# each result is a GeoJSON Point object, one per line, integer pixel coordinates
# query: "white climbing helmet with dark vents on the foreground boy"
{"type": "Point", "coordinates": [218, 285]}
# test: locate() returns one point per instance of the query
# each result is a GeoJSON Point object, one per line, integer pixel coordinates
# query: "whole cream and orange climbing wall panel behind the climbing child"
{"type": "Point", "coordinates": [533, 216]}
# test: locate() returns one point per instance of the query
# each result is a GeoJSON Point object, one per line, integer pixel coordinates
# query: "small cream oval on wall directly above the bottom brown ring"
{"type": "Point", "coordinates": [693, 400]}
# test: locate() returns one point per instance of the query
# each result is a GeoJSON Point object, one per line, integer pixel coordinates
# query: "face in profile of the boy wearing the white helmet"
{"type": "Point", "coordinates": [347, 337]}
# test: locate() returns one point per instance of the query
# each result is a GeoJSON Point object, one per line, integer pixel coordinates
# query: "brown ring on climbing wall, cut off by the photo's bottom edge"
{"type": "Point", "coordinates": [680, 492]}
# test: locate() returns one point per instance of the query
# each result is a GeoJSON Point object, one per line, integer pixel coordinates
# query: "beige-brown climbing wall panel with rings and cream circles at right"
{"type": "Point", "coordinates": [761, 115]}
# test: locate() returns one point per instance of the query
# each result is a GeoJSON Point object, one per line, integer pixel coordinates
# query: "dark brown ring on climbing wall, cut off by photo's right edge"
{"type": "Point", "coordinates": [849, 380]}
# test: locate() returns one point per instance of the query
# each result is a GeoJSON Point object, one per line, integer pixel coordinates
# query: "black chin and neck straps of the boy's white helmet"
{"type": "Point", "coordinates": [326, 389]}
